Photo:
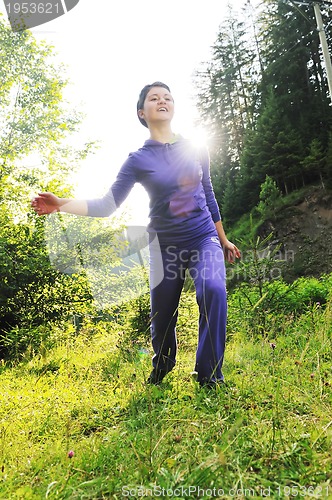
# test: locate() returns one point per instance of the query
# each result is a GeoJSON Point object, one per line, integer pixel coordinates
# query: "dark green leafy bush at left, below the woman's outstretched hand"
{"type": "Point", "coordinates": [33, 292]}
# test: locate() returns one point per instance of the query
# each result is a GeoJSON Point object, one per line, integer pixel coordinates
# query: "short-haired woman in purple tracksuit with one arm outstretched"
{"type": "Point", "coordinates": [186, 223]}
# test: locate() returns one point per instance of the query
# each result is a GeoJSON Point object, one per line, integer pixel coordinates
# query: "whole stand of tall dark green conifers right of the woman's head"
{"type": "Point", "coordinates": [267, 71]}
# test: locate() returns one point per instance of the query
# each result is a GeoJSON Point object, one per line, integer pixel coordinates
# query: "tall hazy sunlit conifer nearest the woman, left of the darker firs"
{"type": "Point", "coordinates": [226, 99]}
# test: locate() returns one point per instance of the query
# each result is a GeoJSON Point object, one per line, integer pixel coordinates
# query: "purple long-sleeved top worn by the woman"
{"type": "Point", "coordinates": [177, 179]}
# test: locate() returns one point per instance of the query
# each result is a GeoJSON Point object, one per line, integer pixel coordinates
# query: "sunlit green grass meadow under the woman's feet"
{"type": "Point", "coordinates": [268, 433]}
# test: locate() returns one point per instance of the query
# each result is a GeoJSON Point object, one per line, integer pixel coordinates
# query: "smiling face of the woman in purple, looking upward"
{"type": "Point", "coordinates": [158, 106]}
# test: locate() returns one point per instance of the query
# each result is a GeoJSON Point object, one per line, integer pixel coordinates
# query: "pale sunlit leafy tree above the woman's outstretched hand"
{"type": "Point", "coordinates": [36, 122]}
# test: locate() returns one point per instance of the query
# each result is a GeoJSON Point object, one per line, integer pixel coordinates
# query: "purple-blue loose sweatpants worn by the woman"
{"type": "Point", "coordinates": [204, 260]}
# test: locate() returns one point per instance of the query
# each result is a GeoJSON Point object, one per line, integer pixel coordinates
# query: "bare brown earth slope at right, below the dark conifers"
{"type": "Point", "coordinates": [304, 230]}
